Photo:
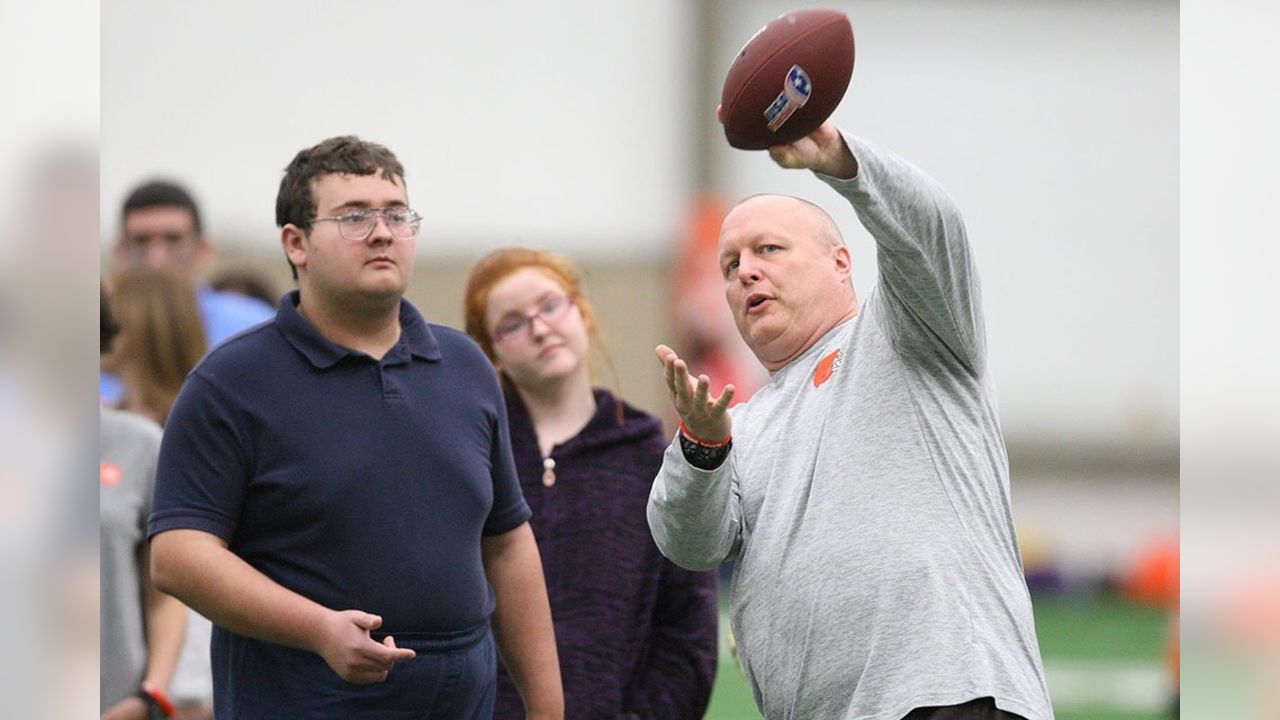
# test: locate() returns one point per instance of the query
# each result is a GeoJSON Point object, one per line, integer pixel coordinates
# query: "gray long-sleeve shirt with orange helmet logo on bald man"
{"type": "Point", "coordinates": [866, 500]}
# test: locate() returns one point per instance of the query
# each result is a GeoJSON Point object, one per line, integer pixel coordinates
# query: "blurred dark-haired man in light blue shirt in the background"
{"type": "Point", "coordinates": [162, 229]}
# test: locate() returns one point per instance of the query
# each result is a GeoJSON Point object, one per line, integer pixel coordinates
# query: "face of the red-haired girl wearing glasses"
{"type": "Point", "coordinates": [540, 336]}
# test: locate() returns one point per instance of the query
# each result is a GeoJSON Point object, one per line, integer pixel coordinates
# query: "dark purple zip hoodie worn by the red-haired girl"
{"type": "Point", "coordinates": [636, 634]}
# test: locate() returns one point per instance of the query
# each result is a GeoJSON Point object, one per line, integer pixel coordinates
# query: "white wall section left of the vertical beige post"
{"type": "Point", "coordinates": [534, 122]}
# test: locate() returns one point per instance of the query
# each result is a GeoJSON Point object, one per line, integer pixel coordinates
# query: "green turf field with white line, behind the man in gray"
{"type": "Point", "coordinates": [1104, 659]}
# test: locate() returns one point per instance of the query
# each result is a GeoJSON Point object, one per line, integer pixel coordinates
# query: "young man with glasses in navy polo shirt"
{"type": "Point", "coordinates": [336, 489]}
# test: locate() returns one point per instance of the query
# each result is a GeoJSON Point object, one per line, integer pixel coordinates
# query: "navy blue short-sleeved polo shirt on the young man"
{"type": "Point", "coordinates": [358, 484]}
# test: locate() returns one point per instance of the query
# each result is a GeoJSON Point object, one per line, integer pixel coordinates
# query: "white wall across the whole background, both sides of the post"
{"type": "Point", "coordinates": [575, 125]}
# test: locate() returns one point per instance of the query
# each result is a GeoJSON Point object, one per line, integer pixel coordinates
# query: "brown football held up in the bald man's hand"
{"type": "Point", "coordinates": [788, 79]}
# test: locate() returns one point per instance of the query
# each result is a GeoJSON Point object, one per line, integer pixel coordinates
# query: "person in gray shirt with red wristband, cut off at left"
{"type": "Point", "coordinates": [141, 627]}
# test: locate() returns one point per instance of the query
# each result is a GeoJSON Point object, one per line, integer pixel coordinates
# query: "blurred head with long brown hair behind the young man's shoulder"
{"type": "Point", "coordinates": [162, 338]}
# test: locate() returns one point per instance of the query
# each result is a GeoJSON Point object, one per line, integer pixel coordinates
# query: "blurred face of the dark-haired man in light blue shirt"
{"type": "Point", "coordinates": [163, 239]}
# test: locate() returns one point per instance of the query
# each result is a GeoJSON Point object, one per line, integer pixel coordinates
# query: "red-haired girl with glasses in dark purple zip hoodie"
{"type": "Point", "coordinates": [636, 634]}
